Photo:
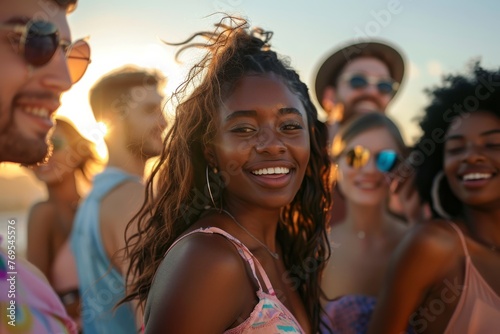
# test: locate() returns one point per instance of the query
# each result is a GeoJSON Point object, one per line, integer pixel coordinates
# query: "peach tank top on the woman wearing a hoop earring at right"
{"type": "Point", "coordinates": [478, 310]}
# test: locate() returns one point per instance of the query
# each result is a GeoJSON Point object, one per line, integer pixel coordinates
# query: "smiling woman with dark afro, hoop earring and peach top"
{"type": "Point", "coordinates": [444, 277]}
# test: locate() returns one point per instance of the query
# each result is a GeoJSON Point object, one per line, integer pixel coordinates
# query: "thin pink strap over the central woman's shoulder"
{"type": "Point", "coordinates": [242, 250]}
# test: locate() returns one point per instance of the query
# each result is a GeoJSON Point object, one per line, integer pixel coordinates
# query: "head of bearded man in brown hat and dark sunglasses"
{"type": "Point", "coordinates": [358, 78]}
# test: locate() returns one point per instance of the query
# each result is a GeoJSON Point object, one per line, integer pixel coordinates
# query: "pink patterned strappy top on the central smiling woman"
{"type": "Point", "coordinates": [269, 316]}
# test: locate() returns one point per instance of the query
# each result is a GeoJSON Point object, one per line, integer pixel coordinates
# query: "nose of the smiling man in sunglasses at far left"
{"type": "Point", "coordinates": [55, 74]}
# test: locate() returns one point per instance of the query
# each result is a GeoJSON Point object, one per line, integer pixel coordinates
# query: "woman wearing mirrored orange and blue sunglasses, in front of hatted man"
{"type": "Point", "coordinates": [367, 152]}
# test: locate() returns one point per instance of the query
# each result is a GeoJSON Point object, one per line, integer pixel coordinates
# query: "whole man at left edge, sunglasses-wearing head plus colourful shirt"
{"type": "Point", "coordinates": [37, 64]}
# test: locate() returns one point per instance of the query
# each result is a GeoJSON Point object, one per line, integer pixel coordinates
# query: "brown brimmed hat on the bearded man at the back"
{"type": "Point", "coordinates": [331, 67]}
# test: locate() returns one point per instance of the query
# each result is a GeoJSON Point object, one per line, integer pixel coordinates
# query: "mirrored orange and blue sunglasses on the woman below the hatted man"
{"type": "Point", "coordinates": [385, 160]}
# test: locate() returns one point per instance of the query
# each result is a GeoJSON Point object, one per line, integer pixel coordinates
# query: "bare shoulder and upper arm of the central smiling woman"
{"type": "Point", "coordinates": [203, 274]}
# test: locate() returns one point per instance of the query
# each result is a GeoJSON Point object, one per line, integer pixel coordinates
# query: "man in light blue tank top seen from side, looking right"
{"type": "Point", "coordinates": [129, 101]}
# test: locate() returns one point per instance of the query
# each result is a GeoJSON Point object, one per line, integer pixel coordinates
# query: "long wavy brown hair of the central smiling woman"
{"type": "Point", "coordinates": [176, 193]}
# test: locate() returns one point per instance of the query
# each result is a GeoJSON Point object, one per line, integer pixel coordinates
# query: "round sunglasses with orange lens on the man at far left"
{"type": "Point", "coordinates": [39, 41]}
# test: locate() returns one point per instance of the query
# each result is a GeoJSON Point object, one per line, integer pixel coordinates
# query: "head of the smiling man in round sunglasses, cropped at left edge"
{"type": "Point", "coordinates": [38, 62]}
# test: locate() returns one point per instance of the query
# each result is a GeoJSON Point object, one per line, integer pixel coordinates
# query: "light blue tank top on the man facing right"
{"type": "Point", "coordinates": [101, 285]}
